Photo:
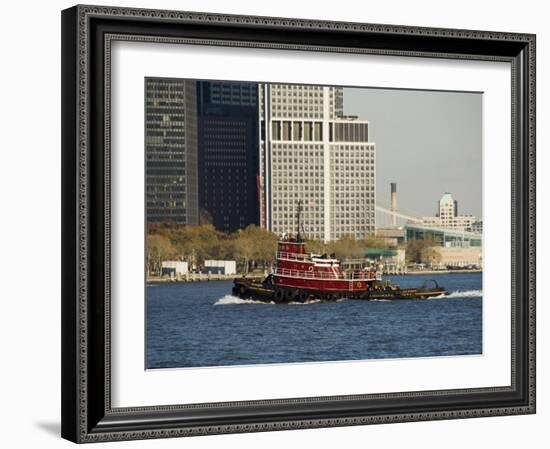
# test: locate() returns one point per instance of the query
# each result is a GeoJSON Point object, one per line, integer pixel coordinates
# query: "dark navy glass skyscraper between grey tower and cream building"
{"type": "Point", "coordinates": [228, 153]}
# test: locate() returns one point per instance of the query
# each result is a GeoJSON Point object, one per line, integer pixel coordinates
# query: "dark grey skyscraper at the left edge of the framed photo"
{"type": "Point", "coordinates": [171, 151]}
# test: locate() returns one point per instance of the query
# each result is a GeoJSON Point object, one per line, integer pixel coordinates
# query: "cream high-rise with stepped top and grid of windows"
{"type": "Point", "coordinates": [311, 151]}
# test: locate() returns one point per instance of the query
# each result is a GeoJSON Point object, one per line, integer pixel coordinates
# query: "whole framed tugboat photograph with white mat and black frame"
{"type": "Point", "coordinates": [276, 224]}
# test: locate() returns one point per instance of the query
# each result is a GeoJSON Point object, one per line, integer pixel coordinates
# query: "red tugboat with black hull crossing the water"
{"type": "Point", "coordinates": [299, 277]}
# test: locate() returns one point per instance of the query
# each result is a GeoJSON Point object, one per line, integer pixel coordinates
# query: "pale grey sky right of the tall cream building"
{"type": "Point", "coordinates": [428, 142]}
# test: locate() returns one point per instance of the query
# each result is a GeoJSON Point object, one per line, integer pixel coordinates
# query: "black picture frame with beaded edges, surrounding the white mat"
{"type": "Point", "coordinates": [87, 33]}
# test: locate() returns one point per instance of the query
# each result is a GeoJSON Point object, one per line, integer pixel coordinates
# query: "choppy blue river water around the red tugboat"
{"type": "Point", "coordinates": [201, 324]}
